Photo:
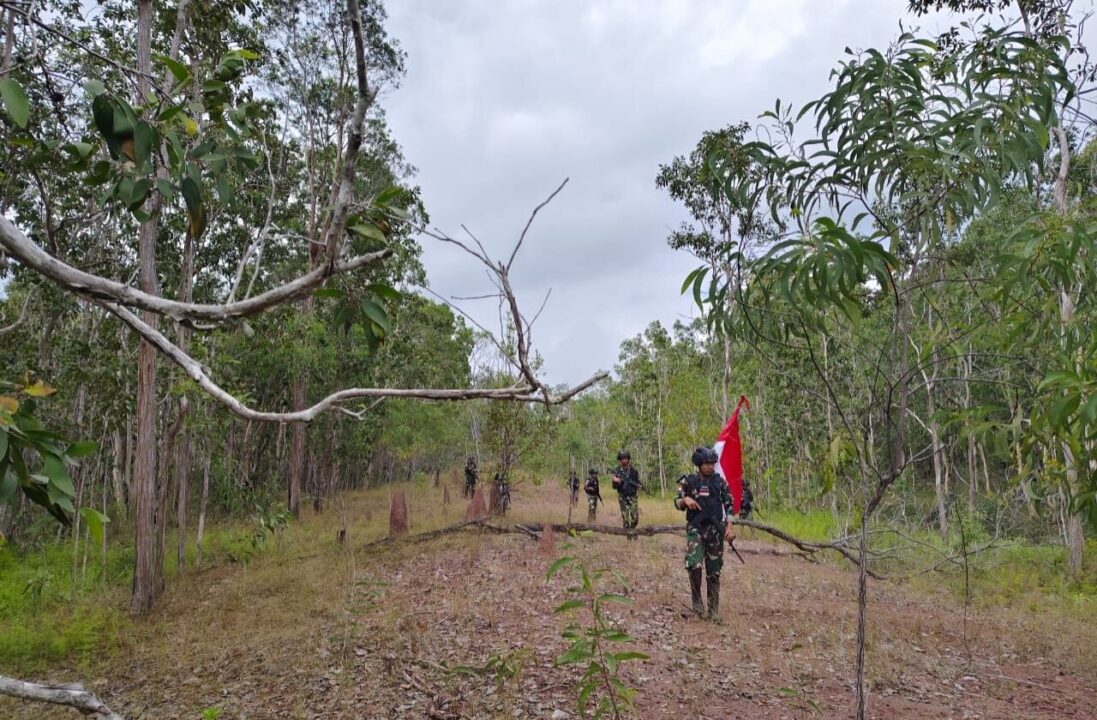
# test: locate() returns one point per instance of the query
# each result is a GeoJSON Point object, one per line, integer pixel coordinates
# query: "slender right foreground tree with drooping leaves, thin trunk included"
{"type": "Point", "coordinates": [915, 145]}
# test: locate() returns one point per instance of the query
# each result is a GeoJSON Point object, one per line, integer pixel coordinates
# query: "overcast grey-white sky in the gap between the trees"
{"type": "Point", "coordinates": [504, 99]}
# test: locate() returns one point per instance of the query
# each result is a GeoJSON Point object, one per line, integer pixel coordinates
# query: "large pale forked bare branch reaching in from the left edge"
{"type": "Point", "coordinates": [122, 299]}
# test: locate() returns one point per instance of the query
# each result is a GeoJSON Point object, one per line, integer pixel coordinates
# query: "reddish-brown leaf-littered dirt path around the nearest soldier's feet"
{"type": "Point", "coordinates": [786, 650]}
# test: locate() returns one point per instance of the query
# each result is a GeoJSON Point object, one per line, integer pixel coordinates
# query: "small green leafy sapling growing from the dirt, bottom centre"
{"type": "Point", "coordinates": [602, 692]}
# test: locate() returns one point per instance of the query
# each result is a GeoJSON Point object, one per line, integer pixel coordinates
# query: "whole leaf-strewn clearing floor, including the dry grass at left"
{"type": "Point", "coordinates": [378, 636]}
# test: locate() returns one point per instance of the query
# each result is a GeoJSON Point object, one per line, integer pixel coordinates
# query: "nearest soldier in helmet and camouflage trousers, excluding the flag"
{"type": "Point", "coordinates": [708, 504]}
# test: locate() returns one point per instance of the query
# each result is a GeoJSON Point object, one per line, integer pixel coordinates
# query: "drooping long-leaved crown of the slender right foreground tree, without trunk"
{"type": "Point", "coordinates": [915, 147]}
